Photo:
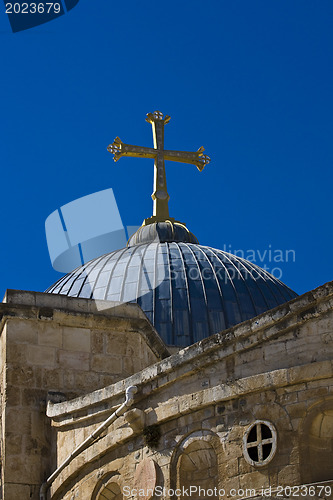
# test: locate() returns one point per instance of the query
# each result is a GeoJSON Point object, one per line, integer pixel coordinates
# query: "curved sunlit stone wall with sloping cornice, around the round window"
{"type": "Point", "coordinates": [276, 368]}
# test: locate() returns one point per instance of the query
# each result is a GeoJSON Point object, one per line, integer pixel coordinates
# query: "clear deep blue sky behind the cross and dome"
{"type": "Point", "coordinates": [251, 81]}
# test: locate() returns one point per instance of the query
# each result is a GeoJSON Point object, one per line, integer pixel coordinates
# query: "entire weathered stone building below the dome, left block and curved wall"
{"type": "Point", "coordinates": [191, 419]}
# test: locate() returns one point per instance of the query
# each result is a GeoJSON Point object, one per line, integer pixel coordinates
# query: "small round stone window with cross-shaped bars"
{"type": "Point", "coordinates": [259, 443]}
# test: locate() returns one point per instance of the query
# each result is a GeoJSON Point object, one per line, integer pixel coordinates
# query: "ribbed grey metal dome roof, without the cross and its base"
{"type": "Point", "coordinates": [187, 291]}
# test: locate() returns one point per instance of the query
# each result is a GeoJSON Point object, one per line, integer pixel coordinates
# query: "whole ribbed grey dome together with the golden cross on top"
{"type": "Point", "coordinates": [187, 291]}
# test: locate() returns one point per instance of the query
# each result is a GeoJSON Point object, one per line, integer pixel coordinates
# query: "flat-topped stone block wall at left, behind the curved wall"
{"type": "Point", "coordinates": [66, 350]}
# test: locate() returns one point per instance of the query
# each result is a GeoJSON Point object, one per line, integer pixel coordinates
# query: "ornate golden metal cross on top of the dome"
{"type": "Point", "coordinates": [160, 194]}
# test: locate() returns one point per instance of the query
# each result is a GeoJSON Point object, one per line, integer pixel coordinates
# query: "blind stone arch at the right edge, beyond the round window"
{"type": "Point", "coordinates": [316, 443]}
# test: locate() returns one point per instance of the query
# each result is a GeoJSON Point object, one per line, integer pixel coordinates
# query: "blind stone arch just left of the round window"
{"type": "Point", "coordinates": [195, 462]}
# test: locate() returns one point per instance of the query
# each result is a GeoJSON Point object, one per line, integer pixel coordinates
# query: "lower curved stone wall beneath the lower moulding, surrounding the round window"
{"type": "Point", "coordinates": [222, 427]}
